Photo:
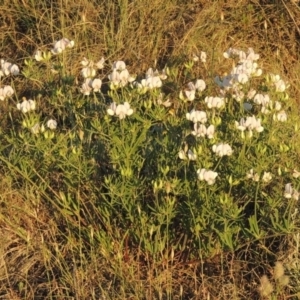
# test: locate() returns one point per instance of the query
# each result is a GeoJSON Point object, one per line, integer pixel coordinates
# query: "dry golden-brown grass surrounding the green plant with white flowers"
{"type": "Point", "coordinates": [40, 256]}
